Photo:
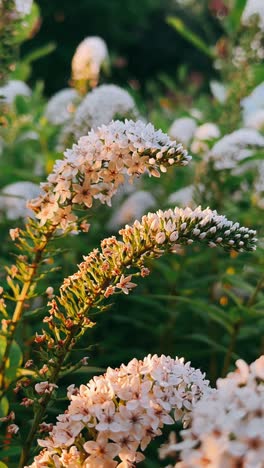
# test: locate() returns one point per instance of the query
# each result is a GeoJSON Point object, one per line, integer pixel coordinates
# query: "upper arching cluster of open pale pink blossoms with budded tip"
{"type": "Point", "coordinates": [96, 166]}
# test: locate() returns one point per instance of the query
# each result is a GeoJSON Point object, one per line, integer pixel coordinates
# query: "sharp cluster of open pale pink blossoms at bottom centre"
{"type": "Point", "coordinates": [119, 413]}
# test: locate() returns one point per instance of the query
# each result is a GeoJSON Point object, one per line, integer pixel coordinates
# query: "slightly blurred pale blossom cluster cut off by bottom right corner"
{"type": "Point", "coordinates": [227, 425]}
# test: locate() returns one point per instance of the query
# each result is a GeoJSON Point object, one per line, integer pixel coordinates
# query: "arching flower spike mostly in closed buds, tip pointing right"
{"type": "Point", "coordinates": [110, 271]}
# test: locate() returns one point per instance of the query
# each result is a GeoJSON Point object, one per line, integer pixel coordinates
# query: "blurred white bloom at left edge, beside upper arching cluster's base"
{"type": "Point", "coordinates": [13, 199]}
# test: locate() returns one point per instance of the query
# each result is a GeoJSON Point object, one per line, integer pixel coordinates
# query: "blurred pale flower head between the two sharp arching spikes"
{"type": "Point", "coordinates": [131, 209]}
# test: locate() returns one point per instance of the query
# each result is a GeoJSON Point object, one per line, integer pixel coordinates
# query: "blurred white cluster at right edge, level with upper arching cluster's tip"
{"type": "Point", "coordinates": [235, 147]}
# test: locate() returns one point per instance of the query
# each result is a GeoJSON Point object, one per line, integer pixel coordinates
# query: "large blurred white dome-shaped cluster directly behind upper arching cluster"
{"type": "Point", "coordinates": [103, 104]}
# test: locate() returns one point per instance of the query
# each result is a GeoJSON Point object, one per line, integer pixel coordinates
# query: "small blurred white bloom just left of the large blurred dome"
{"type": "Point", "coordinates": [61, 106]}
